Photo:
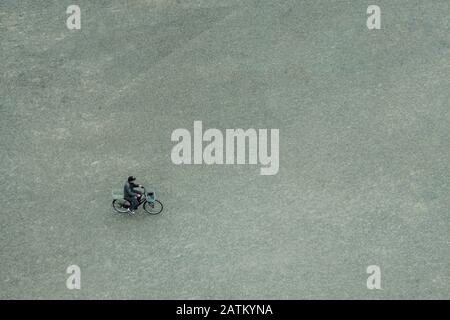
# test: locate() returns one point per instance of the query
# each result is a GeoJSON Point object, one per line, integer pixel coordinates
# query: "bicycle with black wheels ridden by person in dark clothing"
{"type": "Point", "coordinates": [150, 204]}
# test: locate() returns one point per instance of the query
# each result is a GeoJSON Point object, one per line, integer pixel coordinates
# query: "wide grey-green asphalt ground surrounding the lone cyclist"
{"type": "Point", "coordinates": [364, 149]}
